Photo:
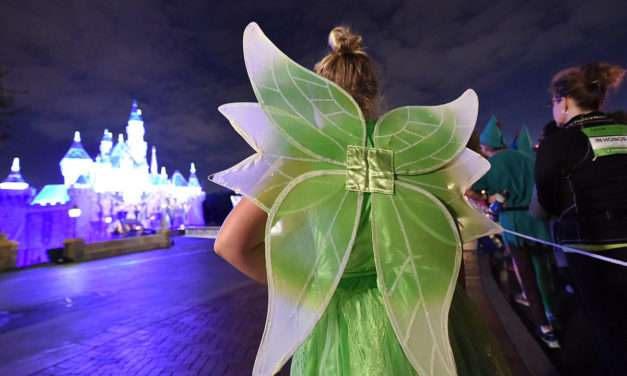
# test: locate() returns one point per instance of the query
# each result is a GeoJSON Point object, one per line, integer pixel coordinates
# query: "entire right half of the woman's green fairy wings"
{"type": "Point", "coordinates": [416, 238]}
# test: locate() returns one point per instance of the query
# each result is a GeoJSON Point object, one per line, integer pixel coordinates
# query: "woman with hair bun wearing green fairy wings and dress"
{"type": "Point", "coordinates": [355, 223]}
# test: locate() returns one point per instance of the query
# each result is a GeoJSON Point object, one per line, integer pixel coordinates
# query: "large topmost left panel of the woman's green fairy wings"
{"type": "Point", "coordinates": [319, 116]}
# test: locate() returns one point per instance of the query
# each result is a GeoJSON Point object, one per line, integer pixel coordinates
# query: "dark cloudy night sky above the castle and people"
{"type": "Point", "coordinates": [78, 65]}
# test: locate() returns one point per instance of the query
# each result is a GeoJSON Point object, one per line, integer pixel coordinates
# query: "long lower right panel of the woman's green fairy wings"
{"type": "Point", "coordinates": [417, 249]}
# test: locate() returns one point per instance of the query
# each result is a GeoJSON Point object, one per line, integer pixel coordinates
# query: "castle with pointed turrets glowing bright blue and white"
{"type": "Point", "coordinates": [118, 192]}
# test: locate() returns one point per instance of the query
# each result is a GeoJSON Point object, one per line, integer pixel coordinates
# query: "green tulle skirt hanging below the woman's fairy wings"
{"type": "Point", "coordinates": [354, 337]}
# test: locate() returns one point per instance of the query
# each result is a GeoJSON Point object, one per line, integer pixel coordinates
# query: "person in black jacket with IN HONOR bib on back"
{"type": "Point", "coordinates": [581, 178]}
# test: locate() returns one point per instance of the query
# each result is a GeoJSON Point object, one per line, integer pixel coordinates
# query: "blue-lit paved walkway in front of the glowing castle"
{"type": "Point", "coordinates": [178, 311]}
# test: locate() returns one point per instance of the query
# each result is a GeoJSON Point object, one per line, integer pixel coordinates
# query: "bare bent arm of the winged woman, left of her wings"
{"type": "Point", "coordinates": [241, 240]}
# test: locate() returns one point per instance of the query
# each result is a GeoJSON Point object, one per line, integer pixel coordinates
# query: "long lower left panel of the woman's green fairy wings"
{"type": "Point", "coordinates": [310, 233]}
